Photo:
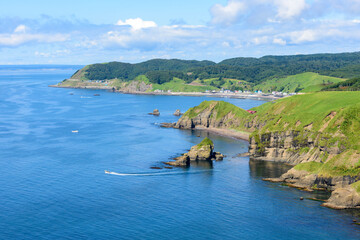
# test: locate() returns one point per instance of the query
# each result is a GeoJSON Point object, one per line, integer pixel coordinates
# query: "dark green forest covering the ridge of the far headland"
{"type": "Point", "coordinates": [253, 70]}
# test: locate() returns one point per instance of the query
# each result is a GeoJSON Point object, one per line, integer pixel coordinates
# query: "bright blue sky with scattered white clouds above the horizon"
{"type": "Point", "coordinates": [83, 32]}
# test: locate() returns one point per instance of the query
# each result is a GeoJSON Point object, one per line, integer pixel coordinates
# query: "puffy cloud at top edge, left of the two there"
{"type": "Point", "coordinates": [228, 14]}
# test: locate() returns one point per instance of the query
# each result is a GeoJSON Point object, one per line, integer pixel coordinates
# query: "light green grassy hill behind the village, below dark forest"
{"type": "Point", "coordinates": [304, 82]}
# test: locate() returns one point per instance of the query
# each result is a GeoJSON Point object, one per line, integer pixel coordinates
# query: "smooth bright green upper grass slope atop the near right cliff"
{"type": "Point", "coordinates": [311, 108]}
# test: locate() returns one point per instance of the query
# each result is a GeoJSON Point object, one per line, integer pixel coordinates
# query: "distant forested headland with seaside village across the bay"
{"type": "Point", "coordinates": [267, 77]}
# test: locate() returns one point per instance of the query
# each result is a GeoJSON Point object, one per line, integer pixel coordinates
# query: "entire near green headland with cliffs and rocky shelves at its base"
{"type": "Point", "coordinates": [317, 133]}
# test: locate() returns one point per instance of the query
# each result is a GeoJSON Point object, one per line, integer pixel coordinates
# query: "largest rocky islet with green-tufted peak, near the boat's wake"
{"type": "Point", "coordinates": [203, 151]}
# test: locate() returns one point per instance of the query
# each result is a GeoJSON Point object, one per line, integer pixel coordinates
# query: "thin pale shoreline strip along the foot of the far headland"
{"type": "Point", "coordinates": [254, 96]}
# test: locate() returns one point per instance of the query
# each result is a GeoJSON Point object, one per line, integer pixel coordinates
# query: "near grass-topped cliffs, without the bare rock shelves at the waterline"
{"type": "Point", "coordinates": [317, 130]}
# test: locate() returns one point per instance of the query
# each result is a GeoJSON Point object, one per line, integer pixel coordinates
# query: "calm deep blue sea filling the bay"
{"type": "Point", "coordinates": [53, 186]}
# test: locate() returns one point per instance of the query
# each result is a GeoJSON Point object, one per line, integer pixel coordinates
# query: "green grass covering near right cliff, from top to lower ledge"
{"type": "Point", "coordinates": [326, 126]}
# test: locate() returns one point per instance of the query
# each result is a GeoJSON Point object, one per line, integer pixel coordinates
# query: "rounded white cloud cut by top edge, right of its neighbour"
{"type": "Point", "coordinates": [287, 9]}
